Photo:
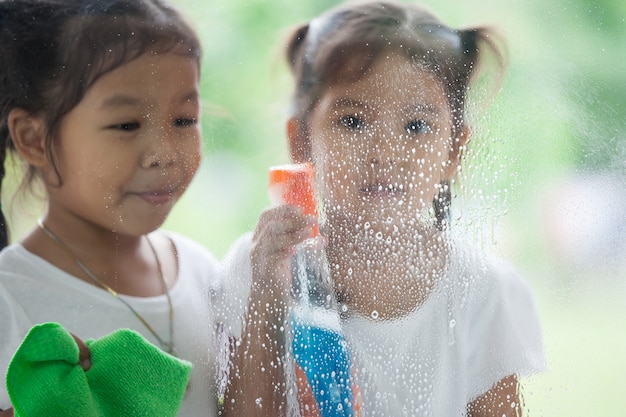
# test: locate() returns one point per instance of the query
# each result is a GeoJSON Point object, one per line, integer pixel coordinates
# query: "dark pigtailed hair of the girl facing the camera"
{"type": "Point", "coordinates": [340, 46]}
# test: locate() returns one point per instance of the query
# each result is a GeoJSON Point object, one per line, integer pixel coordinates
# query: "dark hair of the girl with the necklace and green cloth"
{"type": "Point", "coordinates": [54, 50]}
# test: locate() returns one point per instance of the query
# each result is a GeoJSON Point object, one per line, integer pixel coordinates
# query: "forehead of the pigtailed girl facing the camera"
{"type": "Point", "coordinates": [392, 81]}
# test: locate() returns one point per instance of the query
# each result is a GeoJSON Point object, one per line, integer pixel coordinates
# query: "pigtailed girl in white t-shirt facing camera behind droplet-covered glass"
{"type": "Point", "coordinates": [436, 329]}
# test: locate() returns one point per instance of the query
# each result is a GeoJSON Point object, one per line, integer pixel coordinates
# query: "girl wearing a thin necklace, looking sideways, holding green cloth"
{"type": "Point", "coordinates": [99, 101]}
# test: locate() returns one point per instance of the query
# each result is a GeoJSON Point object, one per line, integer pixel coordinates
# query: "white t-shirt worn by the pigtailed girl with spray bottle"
{"type": "Point", "coordinates": [479, 325]}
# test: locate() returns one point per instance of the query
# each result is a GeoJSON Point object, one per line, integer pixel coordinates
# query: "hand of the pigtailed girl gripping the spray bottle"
{"type": "Point", "coordinates": [279, 229]}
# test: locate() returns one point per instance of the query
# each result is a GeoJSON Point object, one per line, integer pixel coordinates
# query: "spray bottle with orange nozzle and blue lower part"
{"type": "Point", "coordinates": [323, 371]}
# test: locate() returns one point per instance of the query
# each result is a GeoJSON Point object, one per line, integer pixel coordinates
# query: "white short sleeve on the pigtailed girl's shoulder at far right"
{"type": "Point", "coordinates": [506, 335]}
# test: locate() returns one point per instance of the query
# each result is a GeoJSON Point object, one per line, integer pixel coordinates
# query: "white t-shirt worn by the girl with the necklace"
{"type": "Point", "coordinates": [33, 291]}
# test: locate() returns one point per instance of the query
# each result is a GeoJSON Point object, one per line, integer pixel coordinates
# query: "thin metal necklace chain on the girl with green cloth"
{"type": "Point", "coordinates": [166, 346]}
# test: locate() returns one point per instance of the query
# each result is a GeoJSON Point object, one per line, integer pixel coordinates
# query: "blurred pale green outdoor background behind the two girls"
{"type": "Point", "coordinates": [544, 184]}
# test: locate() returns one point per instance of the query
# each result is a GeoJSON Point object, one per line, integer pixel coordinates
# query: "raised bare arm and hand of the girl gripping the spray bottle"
{"type": "Point", "coordinates": [257, 379]}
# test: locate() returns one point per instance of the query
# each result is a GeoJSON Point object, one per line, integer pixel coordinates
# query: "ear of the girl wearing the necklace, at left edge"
{"type": "Point", "coordinates": [28, 134]}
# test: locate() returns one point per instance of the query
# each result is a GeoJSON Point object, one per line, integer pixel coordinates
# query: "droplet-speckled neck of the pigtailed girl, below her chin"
{"type": "Point", "coordinates": [391, 277]}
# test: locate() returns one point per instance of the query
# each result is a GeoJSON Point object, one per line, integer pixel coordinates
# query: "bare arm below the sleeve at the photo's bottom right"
{"type": "Point", "coordinates": [502, 399]}
